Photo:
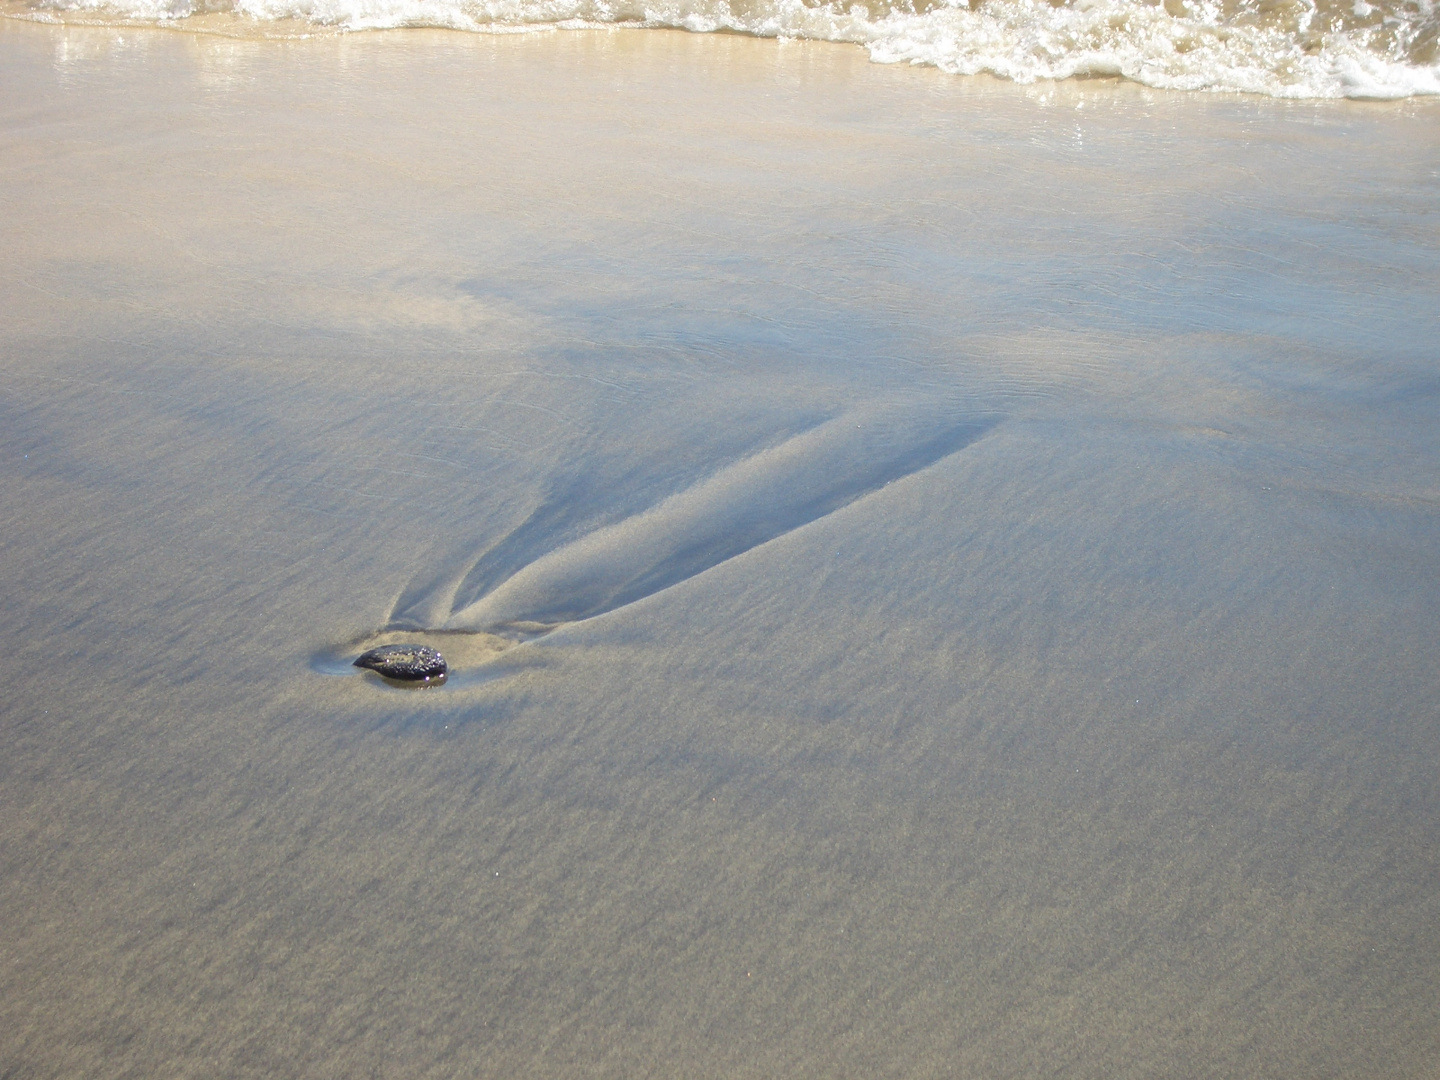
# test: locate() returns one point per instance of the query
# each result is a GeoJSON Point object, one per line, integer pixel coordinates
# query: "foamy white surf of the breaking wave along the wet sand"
{"type": "Point", "coordinates": [1279, 48]}
